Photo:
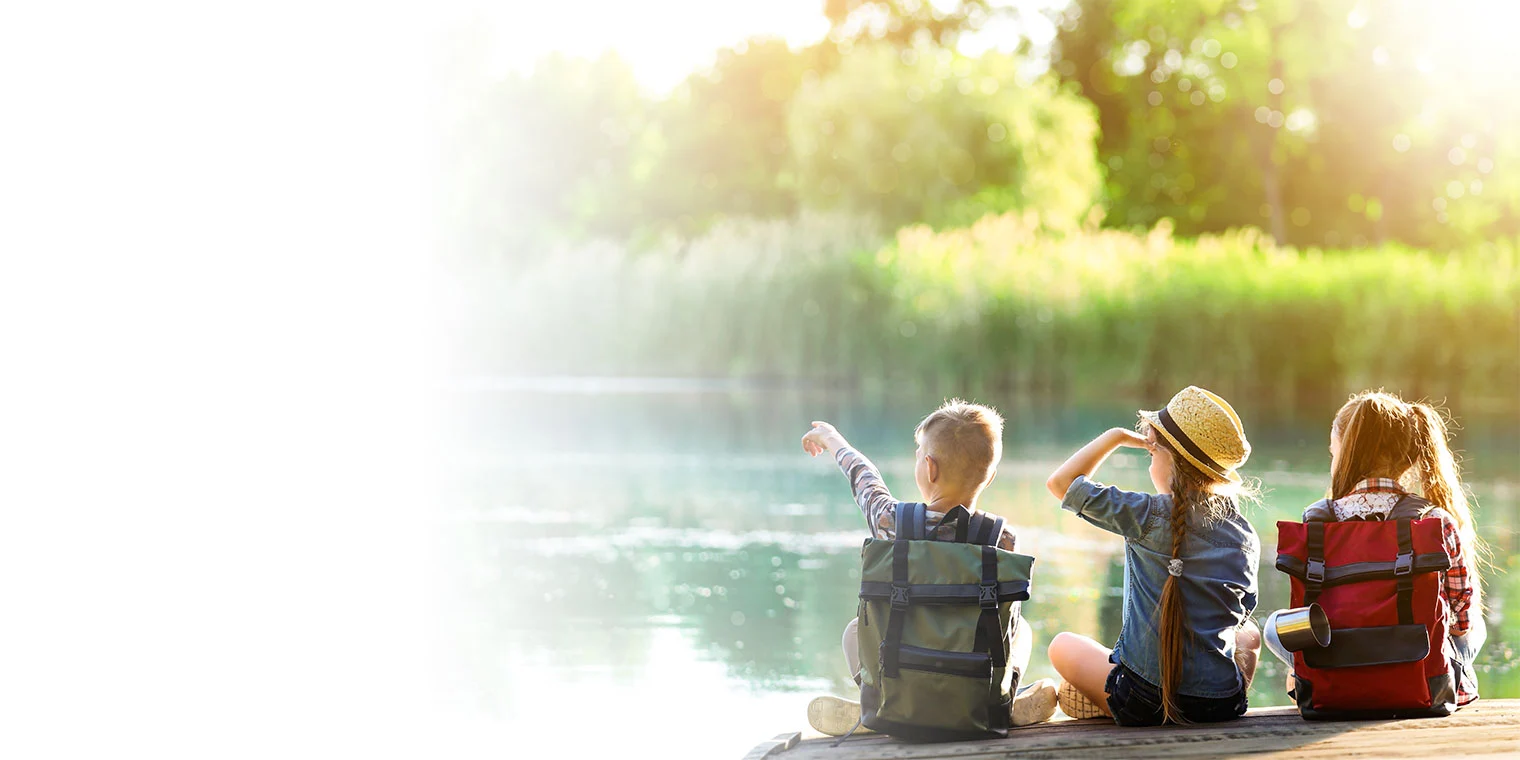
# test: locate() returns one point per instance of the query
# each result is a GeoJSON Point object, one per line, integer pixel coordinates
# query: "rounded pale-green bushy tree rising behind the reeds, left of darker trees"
{"type": "Point", "coordinates": [914, 135]}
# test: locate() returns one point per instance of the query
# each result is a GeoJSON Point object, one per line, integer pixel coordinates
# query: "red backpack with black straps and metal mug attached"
{"type": "Point", "coordinates": [1379, 584]}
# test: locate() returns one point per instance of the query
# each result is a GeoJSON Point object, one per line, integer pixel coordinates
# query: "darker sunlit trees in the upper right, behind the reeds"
{"type": "Point", "coordinates": [1328, 122]}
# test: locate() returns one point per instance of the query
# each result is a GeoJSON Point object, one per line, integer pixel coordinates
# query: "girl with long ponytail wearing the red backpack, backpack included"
{"type": "Point", "coordinates": [1402, 638]}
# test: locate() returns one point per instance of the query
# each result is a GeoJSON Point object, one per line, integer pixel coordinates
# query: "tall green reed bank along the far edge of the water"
{"type": "Point", "coordinates": [1002, 306]}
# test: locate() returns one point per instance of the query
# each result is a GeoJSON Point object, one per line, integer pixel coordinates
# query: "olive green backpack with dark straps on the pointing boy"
{"type": "Point", "coordinates": [937, 619]}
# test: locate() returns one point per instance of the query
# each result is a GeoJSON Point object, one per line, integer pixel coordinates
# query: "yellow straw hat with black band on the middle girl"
{"type": "Point", "coordinates": [1206, 431]}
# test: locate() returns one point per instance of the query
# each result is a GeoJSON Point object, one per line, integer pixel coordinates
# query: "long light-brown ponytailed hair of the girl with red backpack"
{"type": "Point", "coordinates": [1385, 437]}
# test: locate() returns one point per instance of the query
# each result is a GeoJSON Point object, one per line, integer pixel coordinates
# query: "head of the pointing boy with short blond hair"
{"type": "Point", "coordinates": [966, 442]}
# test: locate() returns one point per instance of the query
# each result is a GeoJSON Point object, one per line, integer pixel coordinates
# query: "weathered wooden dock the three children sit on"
{"type": "Point", "coordinates": [1487, 729]}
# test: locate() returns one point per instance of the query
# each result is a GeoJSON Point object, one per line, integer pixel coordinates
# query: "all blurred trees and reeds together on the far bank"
{"type": "Point", "coordinates": [741, 223]}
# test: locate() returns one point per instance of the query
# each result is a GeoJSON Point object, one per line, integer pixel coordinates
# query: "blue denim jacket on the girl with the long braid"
{"type": "Point", "coordinates": [1220, 566]}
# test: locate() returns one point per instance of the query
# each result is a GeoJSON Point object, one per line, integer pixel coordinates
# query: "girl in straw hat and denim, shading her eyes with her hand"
{"type": "Point", "coordinates": [1188, 650]}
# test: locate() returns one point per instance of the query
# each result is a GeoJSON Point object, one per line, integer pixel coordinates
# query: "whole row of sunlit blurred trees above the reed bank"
{"type": "Point", "coordinates": [1329, 122]}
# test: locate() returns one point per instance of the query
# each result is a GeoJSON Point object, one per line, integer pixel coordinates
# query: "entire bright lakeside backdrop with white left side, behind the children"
{"type": "Point", "coordinates": [426, 379]}
